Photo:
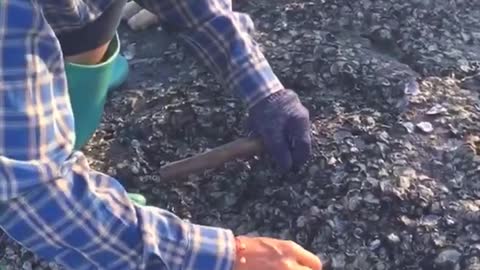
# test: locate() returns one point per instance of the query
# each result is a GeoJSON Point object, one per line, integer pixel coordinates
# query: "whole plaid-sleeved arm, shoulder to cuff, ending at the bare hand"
{"type": "Point", "coordinates": [50, 200]}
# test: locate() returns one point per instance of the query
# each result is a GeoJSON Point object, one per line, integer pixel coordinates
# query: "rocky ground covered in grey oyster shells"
{"type": "Point", "coordinates": [393, 91]}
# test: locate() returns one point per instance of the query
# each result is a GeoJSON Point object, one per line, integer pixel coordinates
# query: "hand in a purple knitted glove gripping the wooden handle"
{"type": "Point", "coordinates": [284, 124]}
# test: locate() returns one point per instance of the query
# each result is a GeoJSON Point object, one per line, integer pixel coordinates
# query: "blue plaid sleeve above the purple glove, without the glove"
{"type": "Point", "coordinates": [221, 40]}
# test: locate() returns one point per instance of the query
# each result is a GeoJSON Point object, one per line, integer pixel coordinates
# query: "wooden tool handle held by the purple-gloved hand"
{"type": "Point", "coordinates": [241, 148]}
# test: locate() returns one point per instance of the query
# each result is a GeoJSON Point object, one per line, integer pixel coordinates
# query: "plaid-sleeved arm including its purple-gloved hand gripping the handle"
{"type": "Point", "coordinates": [221, 38]}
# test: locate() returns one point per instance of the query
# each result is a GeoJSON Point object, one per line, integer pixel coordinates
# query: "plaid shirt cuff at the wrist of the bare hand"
{"type": "Point", "coordinates": [210, 248]}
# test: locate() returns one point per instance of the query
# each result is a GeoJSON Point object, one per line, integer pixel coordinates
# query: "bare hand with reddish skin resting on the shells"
{"type": "Point", "coordinates": [272, 254]}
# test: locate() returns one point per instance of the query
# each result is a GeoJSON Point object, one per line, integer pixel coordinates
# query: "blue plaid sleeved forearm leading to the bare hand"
{"type": "Point", "coordinates": [85, 220]}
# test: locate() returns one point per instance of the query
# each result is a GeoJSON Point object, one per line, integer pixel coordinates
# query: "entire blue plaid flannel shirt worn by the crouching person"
{"type": "Point", "coordinates": [51, 202]}
